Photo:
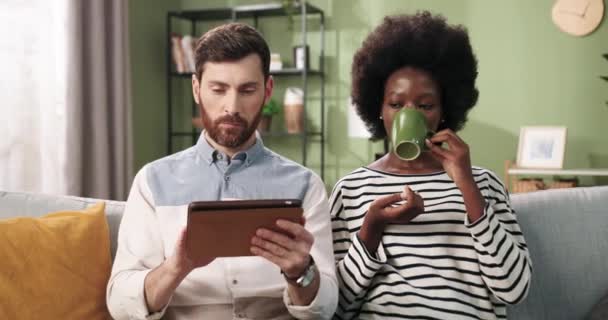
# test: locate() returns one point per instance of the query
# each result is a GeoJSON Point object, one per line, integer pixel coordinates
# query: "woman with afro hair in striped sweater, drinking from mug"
{"type": "Point", "coordinates": [434, 237]}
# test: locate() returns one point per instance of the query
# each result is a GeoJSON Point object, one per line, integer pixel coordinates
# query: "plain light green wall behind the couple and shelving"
{"type": "Point", "coordinates": [529, 74]}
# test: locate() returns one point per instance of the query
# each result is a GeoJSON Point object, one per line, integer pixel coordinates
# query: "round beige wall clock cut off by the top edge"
{"type": "Point", "coordinates": [578, 17]}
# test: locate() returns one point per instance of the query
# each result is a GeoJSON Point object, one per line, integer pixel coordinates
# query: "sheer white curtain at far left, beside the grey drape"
{"type": "Point", "coordinates": [33, 95]}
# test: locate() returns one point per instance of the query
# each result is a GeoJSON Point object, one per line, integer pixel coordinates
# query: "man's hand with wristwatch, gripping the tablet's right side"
{"type": "Point", "coordinates": [290, 250]}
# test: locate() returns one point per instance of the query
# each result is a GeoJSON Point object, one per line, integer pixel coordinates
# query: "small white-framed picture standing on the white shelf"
{"type": "Point", "coordinates": [541, 147]}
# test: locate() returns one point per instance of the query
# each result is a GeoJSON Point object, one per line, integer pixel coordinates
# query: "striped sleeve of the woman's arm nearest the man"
{"type": "Point", "coordinates": [356, 267]}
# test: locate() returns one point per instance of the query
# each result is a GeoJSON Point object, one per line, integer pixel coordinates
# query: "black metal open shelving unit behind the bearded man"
{"type": "Point", "coordinates": [252, 13]}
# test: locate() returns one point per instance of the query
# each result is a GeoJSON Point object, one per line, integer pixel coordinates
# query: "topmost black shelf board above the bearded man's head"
{"type": "Point", "coordinates": [241, 12]}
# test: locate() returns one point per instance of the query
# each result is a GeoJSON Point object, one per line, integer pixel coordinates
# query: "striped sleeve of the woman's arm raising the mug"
{"type": "Point", "coordinates": [503, 256]}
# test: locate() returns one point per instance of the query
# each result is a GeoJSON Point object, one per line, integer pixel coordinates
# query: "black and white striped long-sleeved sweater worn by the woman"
{"type": "Point", "coordinates": [438, 266]}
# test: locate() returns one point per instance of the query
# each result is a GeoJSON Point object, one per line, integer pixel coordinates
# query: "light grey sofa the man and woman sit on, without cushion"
{"type": "Point", "coordinates": [566, 232]}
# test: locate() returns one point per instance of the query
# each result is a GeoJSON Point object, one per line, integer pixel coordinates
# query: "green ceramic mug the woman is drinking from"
{"type": "Point", "coordinates": [409, 134]}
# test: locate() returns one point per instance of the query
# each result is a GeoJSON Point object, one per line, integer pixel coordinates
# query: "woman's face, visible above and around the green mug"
{"type": "Point", "coordinates": [411, 88]}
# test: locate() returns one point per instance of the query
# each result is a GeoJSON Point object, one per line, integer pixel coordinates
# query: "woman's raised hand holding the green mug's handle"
{"type": "Point", "coordinates": [455, 159]}
